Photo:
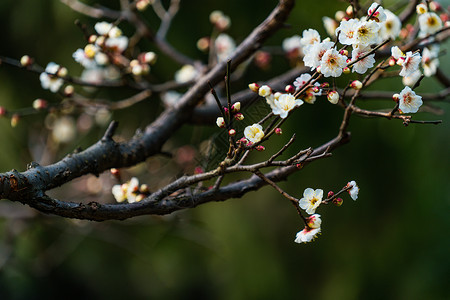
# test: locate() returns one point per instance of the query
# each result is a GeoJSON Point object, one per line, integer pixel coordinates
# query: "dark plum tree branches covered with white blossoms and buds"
{"type": "Point", "coordinates": [357, 38]}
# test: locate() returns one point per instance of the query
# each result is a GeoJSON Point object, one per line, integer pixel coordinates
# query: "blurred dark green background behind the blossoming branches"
{"type": "Point", "coordinates": [392, 243]}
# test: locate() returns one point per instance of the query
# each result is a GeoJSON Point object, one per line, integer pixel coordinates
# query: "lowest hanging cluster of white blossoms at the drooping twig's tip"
{"type": "Point", "coordinates": [310, 202]}
